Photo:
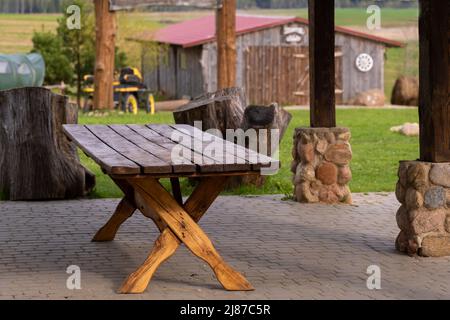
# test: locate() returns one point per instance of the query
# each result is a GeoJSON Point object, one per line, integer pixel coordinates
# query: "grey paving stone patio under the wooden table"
{"type": "Point", "coordinates": [286, 250]}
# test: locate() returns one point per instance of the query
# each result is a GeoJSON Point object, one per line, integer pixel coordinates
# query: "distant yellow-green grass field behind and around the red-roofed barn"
{"type": "Point", "coordinates": [17, 31]}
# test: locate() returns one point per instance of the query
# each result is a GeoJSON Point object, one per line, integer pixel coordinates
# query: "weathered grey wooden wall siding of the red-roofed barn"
{"type": "Point", "coordinates": [200, 74]}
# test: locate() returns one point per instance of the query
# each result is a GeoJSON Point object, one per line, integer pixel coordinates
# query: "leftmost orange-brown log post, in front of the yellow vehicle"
{"type": "Point", "coordinates": [105, 34]}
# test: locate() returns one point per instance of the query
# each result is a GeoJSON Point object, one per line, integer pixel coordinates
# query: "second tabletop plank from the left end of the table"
{"type": "Point", "coordinates": [147, 161]}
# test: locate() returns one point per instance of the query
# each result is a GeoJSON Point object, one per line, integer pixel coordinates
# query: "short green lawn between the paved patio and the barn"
{"type": "Point", "coordinates": [376, 150]}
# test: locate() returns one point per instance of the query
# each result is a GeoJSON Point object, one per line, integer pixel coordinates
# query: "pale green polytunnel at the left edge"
{"type": "Point", "coordinates": [21, 70]}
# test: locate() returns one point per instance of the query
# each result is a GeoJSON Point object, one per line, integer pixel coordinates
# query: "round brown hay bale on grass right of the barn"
{"type": "Point", "coordinates": [406, 91]}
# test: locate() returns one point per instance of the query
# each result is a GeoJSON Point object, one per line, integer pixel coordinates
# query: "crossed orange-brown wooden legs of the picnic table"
{"type": "Point", "coordinates": [178, 224]}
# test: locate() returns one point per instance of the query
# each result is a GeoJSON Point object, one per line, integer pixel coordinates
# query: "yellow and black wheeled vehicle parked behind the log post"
{"type": "Point", "coordinates": [130, 92]}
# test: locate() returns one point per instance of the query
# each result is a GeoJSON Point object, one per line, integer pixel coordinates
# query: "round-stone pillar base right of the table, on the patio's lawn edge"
{"type": "Point", "coordinates": [321, 165]}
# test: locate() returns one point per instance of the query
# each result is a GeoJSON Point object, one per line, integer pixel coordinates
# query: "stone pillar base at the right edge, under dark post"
{"type": "Point", "coordinates": [423, 189]}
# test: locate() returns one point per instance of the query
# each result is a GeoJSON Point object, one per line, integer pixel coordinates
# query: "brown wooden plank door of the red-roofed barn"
{"type": "Point", "coordinates": [281, 74]}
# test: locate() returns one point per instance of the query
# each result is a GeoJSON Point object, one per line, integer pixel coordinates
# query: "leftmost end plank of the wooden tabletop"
{"type": "Point", "coordinates": [111, 161]}
